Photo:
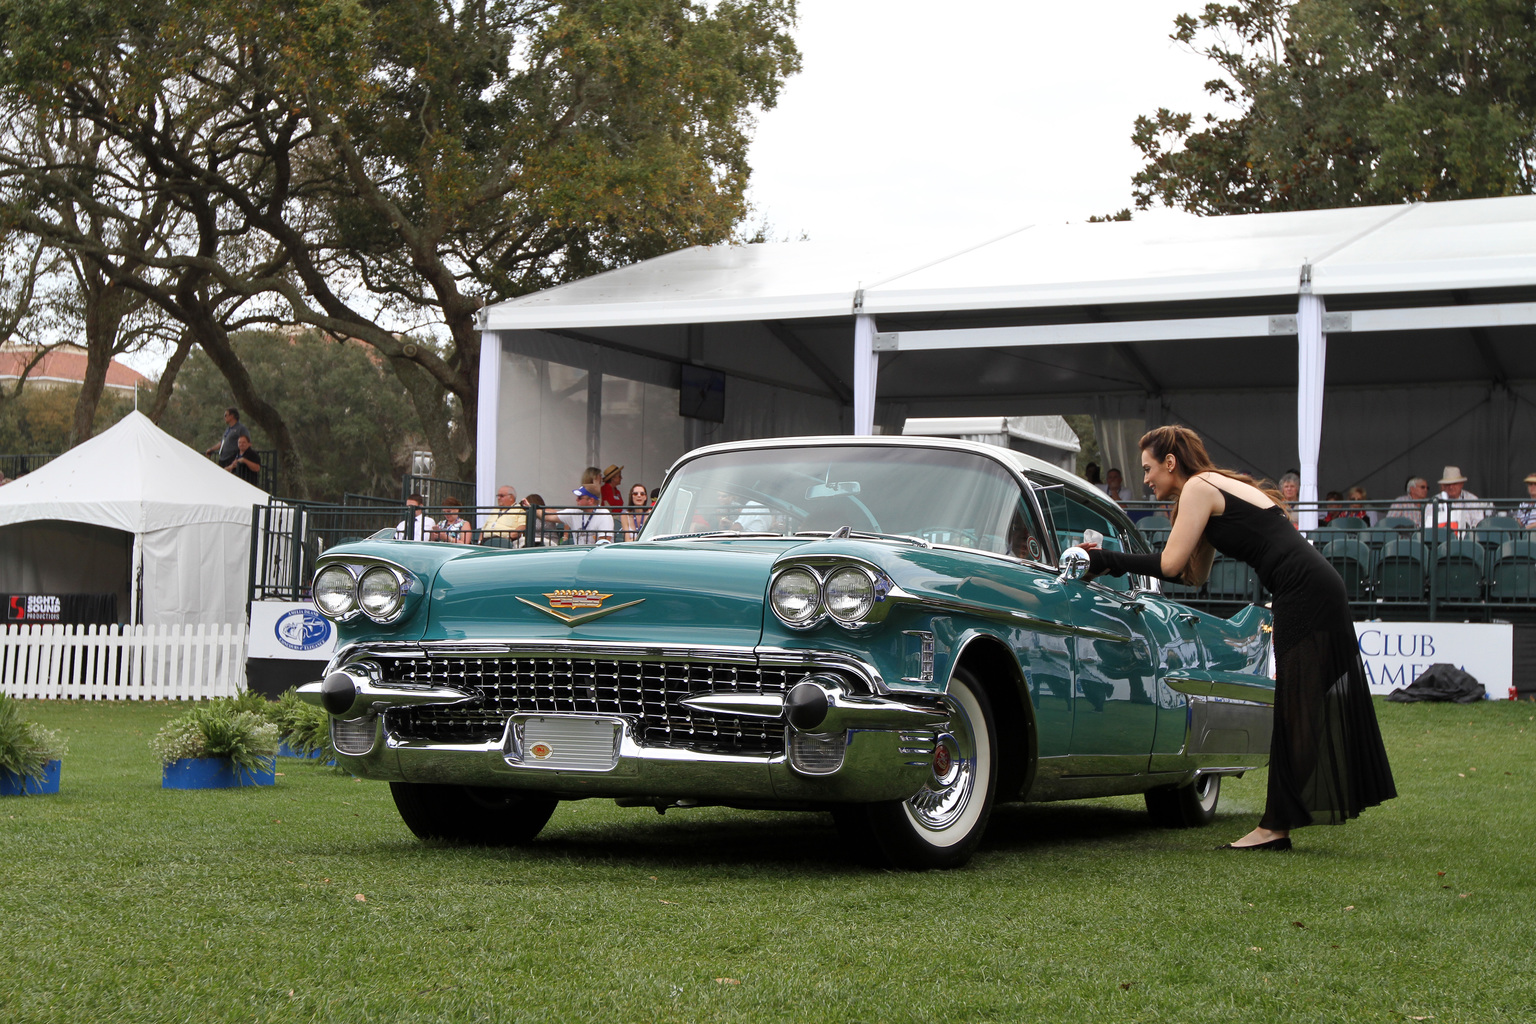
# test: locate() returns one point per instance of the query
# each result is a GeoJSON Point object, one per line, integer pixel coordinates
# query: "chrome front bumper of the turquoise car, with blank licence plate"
{"type": "Point", "coordinates": [839, 747]}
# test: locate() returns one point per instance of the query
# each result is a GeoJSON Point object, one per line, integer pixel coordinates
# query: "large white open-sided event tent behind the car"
{"type": "Point", "coordinates": [1360, 345]}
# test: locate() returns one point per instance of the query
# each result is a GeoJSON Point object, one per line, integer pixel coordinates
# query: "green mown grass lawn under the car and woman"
{"type": "Point", "coordinates": [310, 900]}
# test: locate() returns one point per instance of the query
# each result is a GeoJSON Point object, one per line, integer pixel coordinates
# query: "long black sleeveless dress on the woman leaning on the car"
{"type": "Point", "coordinates": [1326, 759]}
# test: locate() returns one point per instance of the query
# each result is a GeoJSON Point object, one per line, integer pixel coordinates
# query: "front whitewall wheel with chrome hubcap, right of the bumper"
{"type": "Point", "coordinates": [944, 822]}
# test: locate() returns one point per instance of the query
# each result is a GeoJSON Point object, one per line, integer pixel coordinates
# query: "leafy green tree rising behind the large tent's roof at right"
{"type": "Point", "coordinates": [1348, 104]}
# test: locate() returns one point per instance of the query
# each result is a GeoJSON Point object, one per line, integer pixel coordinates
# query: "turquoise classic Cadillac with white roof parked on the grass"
{"type": "Point", "coordinates": [895, 630]}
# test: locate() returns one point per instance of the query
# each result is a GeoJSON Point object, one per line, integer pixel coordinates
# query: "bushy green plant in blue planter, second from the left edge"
{"type": "Point", "coordinates": [217, 745]}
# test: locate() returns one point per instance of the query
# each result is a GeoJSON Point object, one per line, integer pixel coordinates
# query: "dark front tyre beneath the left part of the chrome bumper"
{"type": "Point", "coordinates": [475, 816]}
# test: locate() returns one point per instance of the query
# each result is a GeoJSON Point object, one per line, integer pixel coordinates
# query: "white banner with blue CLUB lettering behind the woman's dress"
{"type": "Point", "coordinates": [1397, 653]}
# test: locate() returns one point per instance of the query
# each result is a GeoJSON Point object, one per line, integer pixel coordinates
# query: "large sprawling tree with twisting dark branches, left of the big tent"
{"type": "Point", "coordinates": [400, 164]}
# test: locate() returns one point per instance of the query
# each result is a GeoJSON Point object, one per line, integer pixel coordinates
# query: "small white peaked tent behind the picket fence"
{"type": "Point", "coordinates": [184, 523]}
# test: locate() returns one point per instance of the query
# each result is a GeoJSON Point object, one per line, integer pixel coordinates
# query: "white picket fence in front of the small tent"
{"type": "Point", "coordinates": [56, 662]}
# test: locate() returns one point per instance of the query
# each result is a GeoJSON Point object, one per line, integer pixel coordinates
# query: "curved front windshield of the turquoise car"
{"type": "Point", "coordinates": [956, 498]}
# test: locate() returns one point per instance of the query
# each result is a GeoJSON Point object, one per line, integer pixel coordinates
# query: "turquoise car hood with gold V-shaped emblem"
{"type": "Point", "coordinates": [687, 593]}
